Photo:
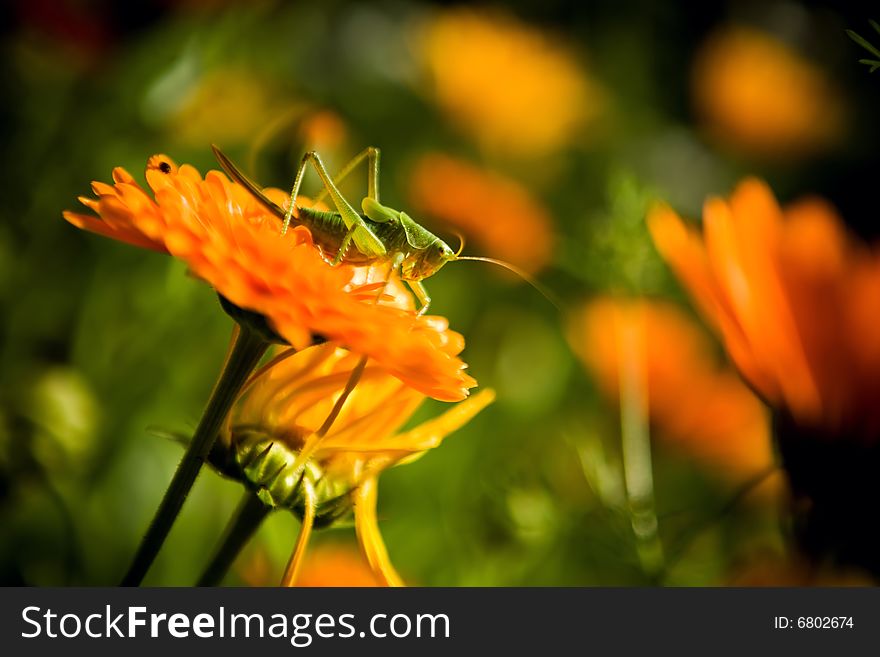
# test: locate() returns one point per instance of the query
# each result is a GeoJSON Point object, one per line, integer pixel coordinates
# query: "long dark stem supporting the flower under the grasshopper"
{"type": "Point", "coordinates": [246, 352]}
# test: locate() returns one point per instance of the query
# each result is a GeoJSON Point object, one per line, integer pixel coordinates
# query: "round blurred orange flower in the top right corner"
{"type": "Point", "coordinates": [758, 96]}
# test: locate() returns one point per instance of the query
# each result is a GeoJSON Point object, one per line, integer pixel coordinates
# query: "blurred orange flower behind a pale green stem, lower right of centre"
{"type": "Point", "coordinates": [694, 404]}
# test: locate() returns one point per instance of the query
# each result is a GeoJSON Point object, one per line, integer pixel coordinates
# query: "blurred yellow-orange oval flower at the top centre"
{"type": "Point", "coordinates": [514, 88]}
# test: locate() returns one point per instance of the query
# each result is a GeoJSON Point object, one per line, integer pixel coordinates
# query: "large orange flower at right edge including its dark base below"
{"type": "Point", "coordinates": [795, 298]}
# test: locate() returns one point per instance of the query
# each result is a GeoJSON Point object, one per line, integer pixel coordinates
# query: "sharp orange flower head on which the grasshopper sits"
{"type": "Point", "coordinates": [231, 241]}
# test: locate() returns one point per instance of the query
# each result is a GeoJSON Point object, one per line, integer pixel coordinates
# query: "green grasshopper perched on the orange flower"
{"type": "Point", "coordinates": [379, 235]}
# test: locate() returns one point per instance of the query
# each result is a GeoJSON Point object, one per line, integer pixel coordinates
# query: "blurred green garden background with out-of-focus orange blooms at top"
{"type": "Point", "coordinates": [575, 115]}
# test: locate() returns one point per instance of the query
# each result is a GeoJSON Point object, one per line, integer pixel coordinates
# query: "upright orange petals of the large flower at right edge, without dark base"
{"type": "Point", "coordinates": [794, 297]}
